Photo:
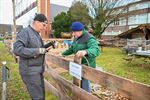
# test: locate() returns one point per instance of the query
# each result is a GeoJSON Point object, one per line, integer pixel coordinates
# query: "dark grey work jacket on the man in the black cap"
{"type": "Point", "coordinates": [27, 45]}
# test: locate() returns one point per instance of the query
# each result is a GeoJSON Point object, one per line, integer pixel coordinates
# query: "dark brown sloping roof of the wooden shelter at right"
{"type": "Point", "coordinates": [139, 28]}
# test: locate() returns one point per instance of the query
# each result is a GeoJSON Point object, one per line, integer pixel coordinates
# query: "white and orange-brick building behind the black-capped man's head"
{"type": "Point", "coordinates": [26, 9]}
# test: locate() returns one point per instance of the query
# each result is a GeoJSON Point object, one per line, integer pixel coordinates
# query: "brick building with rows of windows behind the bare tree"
{"type": "Point", "coordinates": [137, 12]}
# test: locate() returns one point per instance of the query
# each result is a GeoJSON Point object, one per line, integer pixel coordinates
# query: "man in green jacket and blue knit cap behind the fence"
{"type": "Point", "coordinates": [84, 46]}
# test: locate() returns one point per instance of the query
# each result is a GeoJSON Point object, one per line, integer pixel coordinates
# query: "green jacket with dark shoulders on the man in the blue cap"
{"type": "Point", "coordinates": [85, 42]}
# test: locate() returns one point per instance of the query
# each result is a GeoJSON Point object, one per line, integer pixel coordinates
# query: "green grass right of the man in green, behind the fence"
{"type": "Point", "coordinates": [111, 60]}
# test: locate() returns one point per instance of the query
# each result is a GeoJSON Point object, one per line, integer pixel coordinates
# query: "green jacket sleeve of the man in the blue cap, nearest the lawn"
{"type": "Point", "coordinates": [92, 48]}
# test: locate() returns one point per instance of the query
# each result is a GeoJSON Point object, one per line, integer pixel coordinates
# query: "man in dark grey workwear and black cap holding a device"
{"type": "Point", "coordinates": [30, 49]}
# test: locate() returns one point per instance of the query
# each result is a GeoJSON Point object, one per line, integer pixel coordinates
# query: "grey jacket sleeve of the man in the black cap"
{"type": "Point", "coordinates": [21, 46]}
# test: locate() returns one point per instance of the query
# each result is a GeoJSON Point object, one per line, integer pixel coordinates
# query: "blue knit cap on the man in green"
{"type": "Point", "coordinates": [77, 26]}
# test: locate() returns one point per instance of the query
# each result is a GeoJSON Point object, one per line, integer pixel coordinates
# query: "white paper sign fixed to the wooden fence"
{"type": "Point", "coordinates": [75, 70]}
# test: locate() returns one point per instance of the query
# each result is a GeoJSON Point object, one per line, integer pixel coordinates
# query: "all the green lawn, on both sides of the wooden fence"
{"type": "Point", "coordinates": [111, 60]}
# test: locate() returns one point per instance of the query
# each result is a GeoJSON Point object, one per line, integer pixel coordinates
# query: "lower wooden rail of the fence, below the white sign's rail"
{"type": "Point", "coordinates": [68, 87]}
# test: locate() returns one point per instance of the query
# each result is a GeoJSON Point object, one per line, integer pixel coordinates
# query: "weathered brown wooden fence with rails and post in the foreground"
{"type": "Point", "coordinates": [66, 90]}
